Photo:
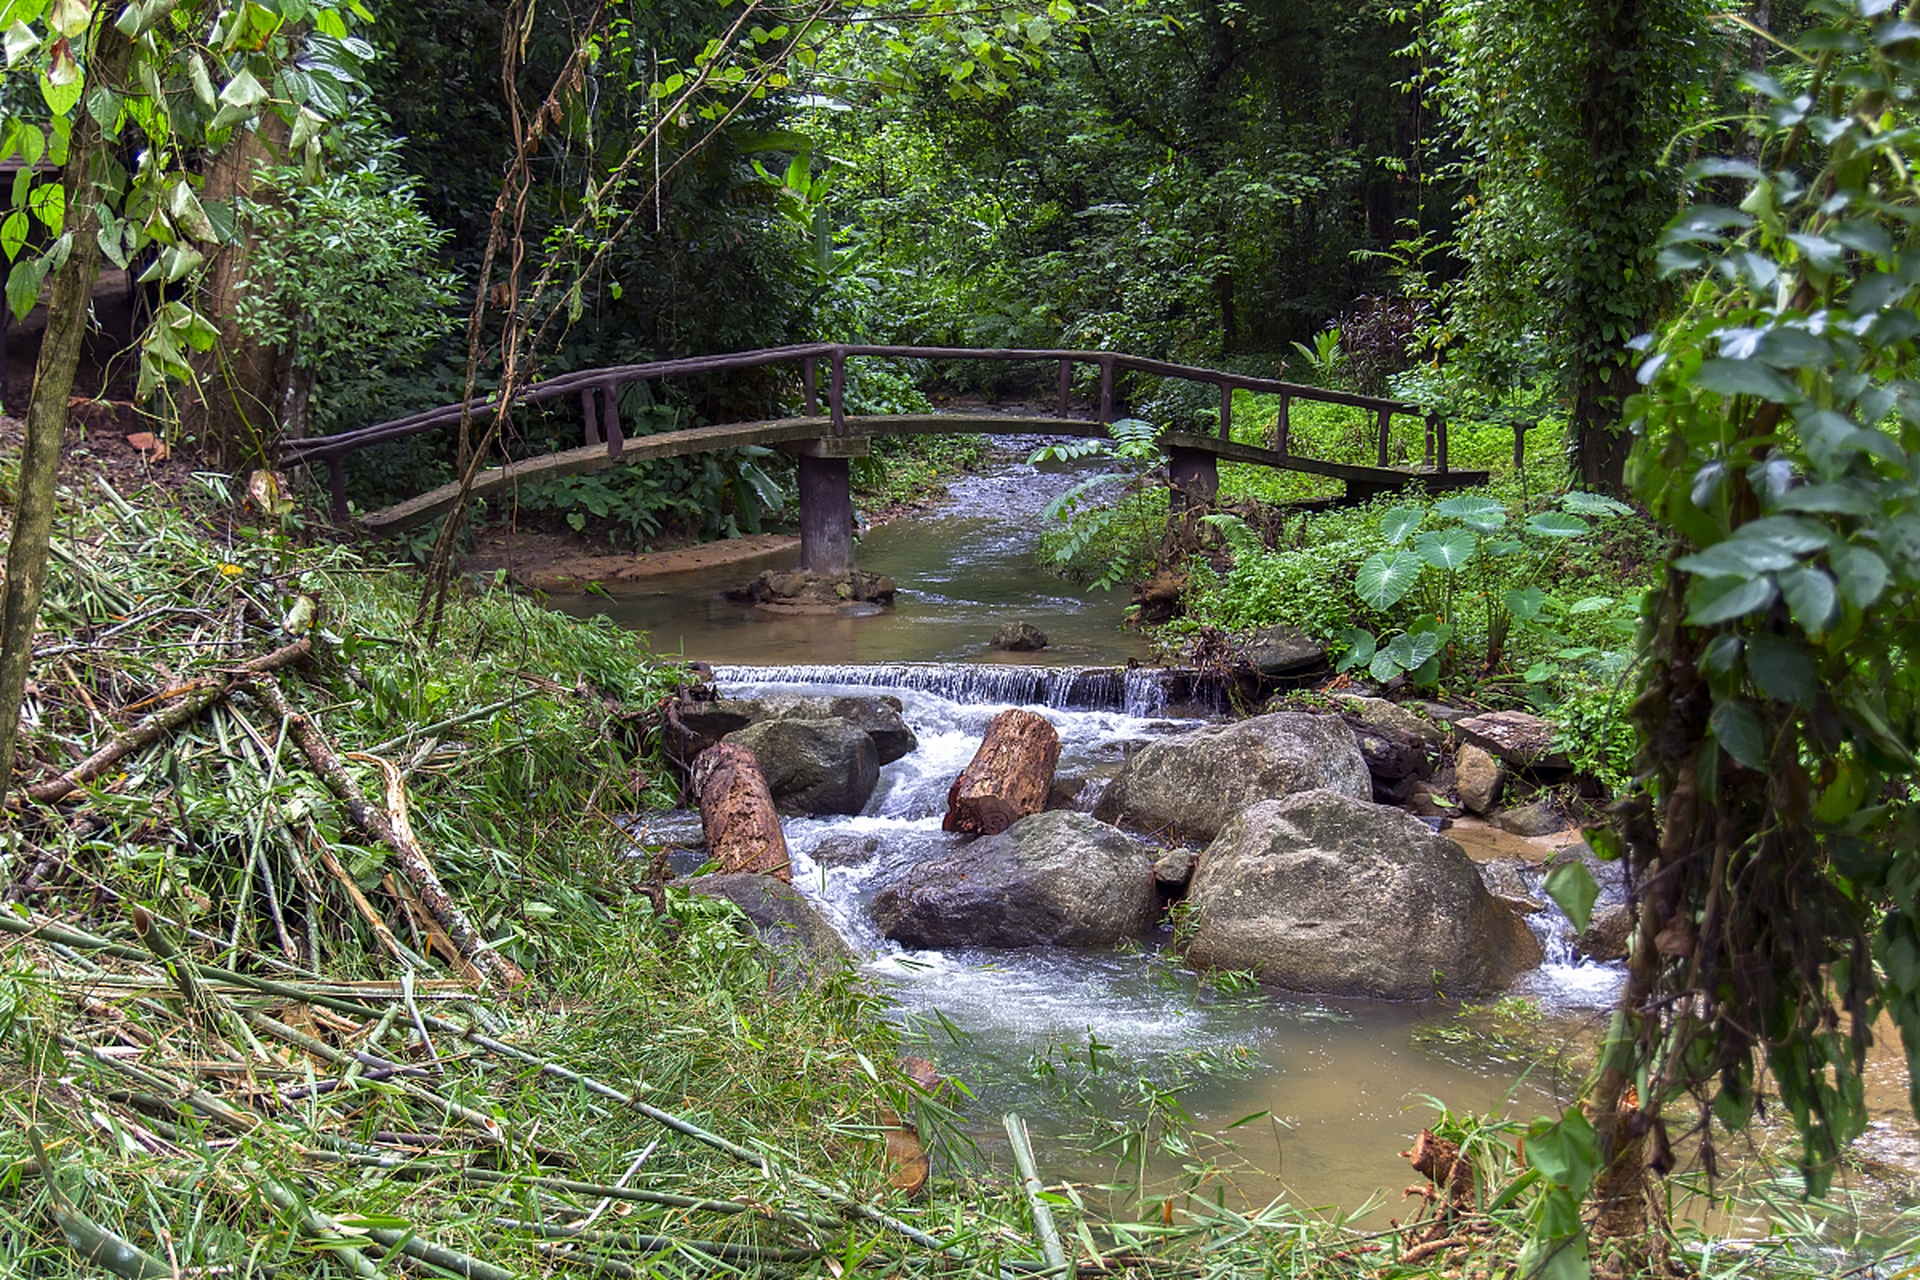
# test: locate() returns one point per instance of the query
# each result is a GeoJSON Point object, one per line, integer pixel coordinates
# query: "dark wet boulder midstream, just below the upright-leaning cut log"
{"type": "Point", "coordinates": [1057, 878]}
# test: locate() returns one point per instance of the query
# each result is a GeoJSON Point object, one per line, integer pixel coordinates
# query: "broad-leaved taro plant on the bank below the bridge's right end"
{"type": "Point", "coordinates": [1466, 561]}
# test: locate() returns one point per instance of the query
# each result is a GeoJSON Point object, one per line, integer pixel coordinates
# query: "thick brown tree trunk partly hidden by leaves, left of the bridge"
{"type": "Point", "coordinates": [235, 406]}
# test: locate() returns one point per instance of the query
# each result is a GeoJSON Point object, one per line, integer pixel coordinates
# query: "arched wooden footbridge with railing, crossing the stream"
{"type": "Point", "coordinates": [827, 442]}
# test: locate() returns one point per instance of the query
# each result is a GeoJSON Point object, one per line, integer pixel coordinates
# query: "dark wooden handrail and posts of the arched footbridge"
{"type": "Point", "coordinates": [600, 389]}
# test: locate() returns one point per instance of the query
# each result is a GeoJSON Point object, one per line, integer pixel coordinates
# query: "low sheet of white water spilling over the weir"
{"type": "Point", "coordinates": [1138, 692]}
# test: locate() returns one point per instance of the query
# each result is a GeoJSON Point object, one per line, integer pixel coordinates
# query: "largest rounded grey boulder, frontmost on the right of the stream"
{"type": "Point", "coordinates": [1330, 893]}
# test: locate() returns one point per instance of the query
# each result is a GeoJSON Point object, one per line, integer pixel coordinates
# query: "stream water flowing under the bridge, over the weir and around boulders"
{"type": "Point", "coordinates": [1343, 1083]}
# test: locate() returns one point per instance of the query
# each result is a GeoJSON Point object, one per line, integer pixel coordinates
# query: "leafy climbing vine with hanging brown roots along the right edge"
{"type": "Point", "coordinates": [1773, 820]}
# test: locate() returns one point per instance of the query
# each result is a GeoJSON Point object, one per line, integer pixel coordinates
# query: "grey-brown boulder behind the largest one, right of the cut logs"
{"type": "Point", "coordinates": [1189, 786]}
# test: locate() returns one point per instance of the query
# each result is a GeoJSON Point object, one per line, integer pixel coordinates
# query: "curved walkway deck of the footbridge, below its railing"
{"type": "Point", "coordinates": [1360, 481]}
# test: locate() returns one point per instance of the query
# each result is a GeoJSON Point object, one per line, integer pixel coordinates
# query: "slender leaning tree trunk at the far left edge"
{"type": "Point", "coordinates": [53, 385]}
